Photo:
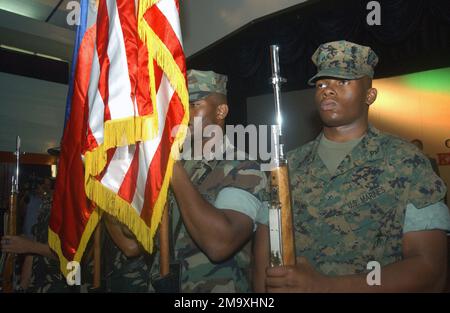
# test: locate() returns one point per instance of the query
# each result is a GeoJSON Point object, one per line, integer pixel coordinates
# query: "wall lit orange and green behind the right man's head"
{"type": "Point", "coordinates": [416, 106]}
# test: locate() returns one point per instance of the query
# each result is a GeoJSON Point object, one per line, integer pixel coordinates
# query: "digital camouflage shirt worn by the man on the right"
{"type": "Point", "coordinates": [344, 221]}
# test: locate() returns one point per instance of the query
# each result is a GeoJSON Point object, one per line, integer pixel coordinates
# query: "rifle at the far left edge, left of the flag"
{"type": "Point", "coordinates": [9, 277]}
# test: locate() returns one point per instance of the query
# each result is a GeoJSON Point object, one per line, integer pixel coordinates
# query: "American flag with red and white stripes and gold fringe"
{"type": "Point", "coordinates": [127, 94]}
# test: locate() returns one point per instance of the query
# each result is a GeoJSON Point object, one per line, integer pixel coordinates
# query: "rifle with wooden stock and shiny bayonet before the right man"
{"type": "Point", "coordinates": [282, 250]}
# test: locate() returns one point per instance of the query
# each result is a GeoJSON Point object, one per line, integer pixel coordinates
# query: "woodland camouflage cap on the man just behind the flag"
{"type": "Point", "coordinates": [202, 83]}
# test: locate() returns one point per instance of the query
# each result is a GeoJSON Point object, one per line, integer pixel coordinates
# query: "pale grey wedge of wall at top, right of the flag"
{"type": "Point", "coordinates": [206, 21]}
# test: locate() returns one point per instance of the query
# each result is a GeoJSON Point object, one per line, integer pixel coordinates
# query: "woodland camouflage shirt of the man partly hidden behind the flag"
{"type": "Point", "coordinates": [198, 273]}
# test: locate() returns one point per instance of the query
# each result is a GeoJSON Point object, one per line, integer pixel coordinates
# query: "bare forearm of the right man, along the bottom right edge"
{"type": "Point", "coordinates": [409, 275]}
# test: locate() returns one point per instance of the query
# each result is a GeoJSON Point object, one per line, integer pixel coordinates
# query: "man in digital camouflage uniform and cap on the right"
{"type": "Point", "coordinates": [359, 194]}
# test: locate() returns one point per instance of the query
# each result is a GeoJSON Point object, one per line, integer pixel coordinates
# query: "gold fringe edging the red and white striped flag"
{"type": "Point", "coordinates": [122, 132]}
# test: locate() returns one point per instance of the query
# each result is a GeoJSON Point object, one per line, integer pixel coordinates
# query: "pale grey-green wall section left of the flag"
{"type": "Point", "coordinates": [34, 110]}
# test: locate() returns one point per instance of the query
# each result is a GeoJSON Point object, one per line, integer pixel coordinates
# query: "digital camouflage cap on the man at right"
{"type": "Point", "coordinates": [343, 59]}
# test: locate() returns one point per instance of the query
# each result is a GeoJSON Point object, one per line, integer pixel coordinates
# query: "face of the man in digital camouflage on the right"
{"type": "Point", "coordinates": [341, 102]}
